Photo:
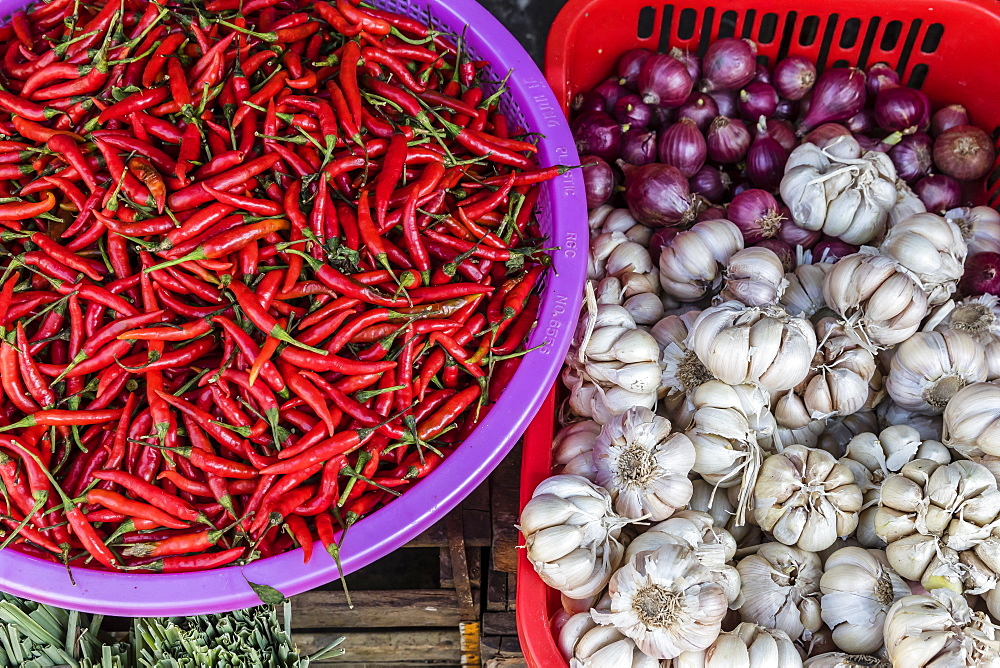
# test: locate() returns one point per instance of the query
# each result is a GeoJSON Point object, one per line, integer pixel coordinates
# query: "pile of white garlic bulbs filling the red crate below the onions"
{"type": "Point", "coordinates": [762, 465]}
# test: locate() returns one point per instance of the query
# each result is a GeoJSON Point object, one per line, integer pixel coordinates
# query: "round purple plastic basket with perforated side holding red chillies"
{"type": "Point", "coordinates": [531, 104]}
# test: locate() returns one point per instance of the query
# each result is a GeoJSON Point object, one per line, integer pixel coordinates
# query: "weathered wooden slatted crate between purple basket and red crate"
{"type": "Point", "coordinates": [445, 599]}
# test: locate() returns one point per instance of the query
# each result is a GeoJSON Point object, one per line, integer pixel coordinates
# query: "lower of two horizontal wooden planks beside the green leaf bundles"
{"type": "Point", "coordinates": [424, 647]}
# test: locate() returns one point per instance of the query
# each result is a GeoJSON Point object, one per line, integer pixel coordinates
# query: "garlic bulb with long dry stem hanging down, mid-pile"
{"type": "Point", "coordinates": [730, 423]}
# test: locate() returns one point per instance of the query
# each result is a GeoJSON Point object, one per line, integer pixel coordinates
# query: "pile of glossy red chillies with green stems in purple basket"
{"type": "Point", "coordinates": [264, 264]}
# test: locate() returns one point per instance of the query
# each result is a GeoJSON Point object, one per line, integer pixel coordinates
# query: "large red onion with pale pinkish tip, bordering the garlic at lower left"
{"type": "Point", "coordinates": [658, 195]}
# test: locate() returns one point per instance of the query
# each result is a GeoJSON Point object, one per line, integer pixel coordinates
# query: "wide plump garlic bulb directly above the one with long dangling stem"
{"type": "Point", "coordinates": [741, 344]}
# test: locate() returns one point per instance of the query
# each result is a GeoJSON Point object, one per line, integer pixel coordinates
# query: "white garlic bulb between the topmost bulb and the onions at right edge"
{"type": "Point", "coordinates": [933, 249]}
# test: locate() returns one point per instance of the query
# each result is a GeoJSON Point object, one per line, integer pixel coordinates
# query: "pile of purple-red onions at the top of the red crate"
{"type": "Point", "coordinates": [678, 139]}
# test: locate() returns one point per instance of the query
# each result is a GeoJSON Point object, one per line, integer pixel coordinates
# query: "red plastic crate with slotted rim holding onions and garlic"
{"type": "Point", "coordinates": [944, 47]}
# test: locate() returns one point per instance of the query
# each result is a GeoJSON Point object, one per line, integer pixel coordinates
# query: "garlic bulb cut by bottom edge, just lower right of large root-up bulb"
{"type": "Point", "coordinates": [746, 646]}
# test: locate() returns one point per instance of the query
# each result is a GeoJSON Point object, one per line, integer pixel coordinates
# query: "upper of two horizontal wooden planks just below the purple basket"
{"type": "Point", "coordinates": [320, 609]}
